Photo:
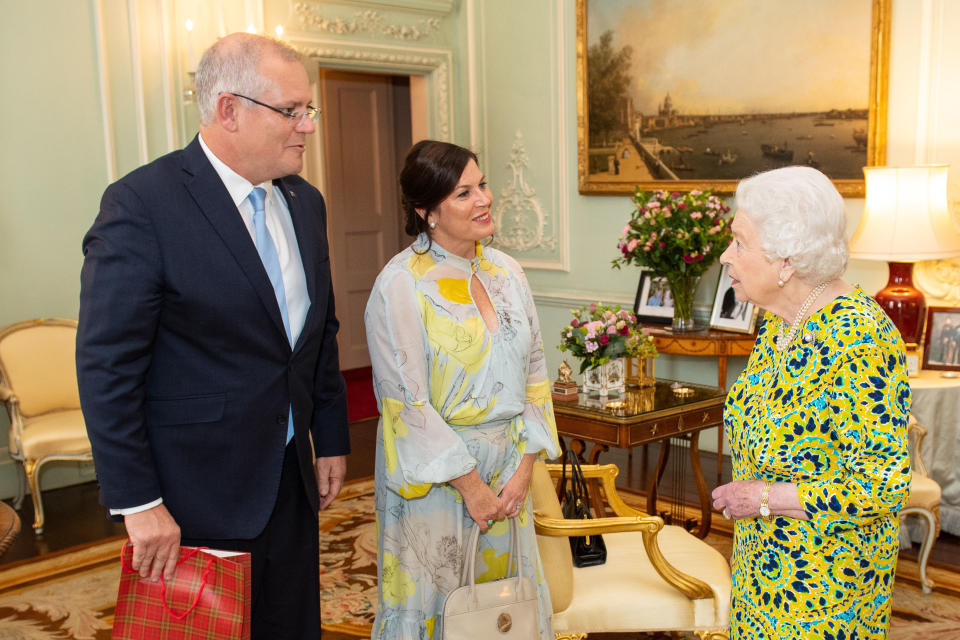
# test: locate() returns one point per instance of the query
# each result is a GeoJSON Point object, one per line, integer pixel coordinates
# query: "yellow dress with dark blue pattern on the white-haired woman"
{"type": "Point", "coordinates": [834, 423]}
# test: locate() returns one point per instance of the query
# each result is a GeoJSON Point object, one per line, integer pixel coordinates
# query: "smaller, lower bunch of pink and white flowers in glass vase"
{"type": "Point", "coordinates": [599, 333]}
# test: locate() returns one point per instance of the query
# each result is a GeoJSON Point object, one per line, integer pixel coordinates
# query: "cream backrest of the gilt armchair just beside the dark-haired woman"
{"type": "Point", "coordinates": [554, 551]}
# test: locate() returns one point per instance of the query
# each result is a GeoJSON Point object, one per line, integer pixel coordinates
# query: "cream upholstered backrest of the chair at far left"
{"type": "Point", "coordinates": [41, 368]}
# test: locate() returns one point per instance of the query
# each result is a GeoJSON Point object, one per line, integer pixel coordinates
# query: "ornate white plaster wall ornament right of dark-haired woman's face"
{"type": "Point", "coordinates": [521, 222]}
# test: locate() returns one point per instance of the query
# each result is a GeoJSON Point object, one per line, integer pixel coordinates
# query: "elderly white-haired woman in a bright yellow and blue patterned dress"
{"type": "Point", "coordinates": [816, 421]}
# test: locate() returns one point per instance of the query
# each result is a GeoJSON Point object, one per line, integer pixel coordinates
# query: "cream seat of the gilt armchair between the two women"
{"type": "Point", "coordinates": [627, 594]}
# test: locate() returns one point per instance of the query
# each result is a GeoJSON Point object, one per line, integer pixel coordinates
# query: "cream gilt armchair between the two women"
{"type": "Point", "coordinates": [656, 577]}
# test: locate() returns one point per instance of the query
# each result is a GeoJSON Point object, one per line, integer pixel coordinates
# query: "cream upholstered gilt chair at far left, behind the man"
{"type": "Point", "coordinates": [38, 386]}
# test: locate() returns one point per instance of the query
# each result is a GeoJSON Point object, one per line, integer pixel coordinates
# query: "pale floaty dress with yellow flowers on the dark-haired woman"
{"type": "Point", "coordinates": [453, 397]}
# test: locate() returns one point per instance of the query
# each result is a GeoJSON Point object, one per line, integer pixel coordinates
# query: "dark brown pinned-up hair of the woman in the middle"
{"type": "Point", "coordinates": [430, 174]}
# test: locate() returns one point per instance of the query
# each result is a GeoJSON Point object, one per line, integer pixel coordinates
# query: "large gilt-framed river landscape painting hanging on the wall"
{"type": "Point", "coordinates": [663, 148]}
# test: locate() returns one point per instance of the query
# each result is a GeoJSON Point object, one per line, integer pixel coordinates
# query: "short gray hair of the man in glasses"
{"type": "Point", "coordinates": [232, 65]}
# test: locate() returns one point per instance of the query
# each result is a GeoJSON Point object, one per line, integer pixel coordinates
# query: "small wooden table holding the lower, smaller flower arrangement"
{"type": "Point", "coordinates": [654, 414]}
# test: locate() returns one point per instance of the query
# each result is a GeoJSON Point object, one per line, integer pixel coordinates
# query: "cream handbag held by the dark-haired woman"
{"type": "Point", "coordinates": [505, 608]}
